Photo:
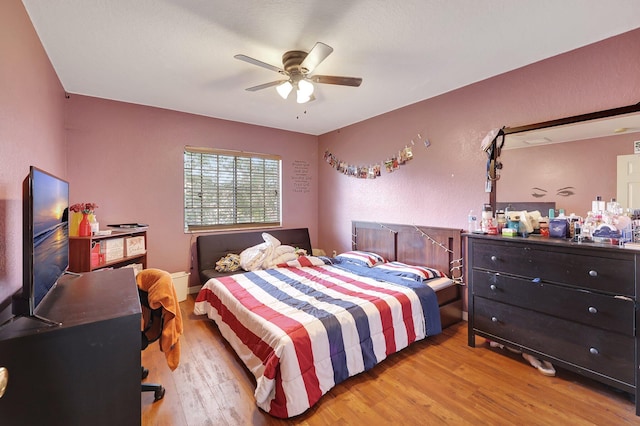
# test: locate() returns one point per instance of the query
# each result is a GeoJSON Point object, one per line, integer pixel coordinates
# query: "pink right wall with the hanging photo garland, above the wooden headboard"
{"type": "Point", "coordinates": [446, 180]}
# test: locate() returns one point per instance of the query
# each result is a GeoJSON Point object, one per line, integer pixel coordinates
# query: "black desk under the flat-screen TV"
{"type": "Point", "coordinates": [86, 371]}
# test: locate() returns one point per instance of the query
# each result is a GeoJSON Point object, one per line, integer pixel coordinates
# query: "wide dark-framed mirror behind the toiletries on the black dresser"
{"type": "Point", "coordinates": [567, 162]}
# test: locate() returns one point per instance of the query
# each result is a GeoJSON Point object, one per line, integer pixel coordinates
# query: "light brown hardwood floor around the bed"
{"type": "Point", "coordinates": [440, 380]}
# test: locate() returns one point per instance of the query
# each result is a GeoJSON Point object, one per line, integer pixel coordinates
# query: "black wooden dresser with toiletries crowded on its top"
{"type": "Point", "coordinates": [572, 304]}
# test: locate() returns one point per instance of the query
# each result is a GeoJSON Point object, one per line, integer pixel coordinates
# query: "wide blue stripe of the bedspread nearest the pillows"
{"type": "Point", "coordinates": [427, 296]}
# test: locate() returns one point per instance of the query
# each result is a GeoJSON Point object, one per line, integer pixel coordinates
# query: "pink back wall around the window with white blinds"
{"type": "Point", "coordinates": [128, 159]}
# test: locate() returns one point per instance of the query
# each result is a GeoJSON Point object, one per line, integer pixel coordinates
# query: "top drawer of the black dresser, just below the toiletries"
{"type": "Point", "coordinates": [613, 274]}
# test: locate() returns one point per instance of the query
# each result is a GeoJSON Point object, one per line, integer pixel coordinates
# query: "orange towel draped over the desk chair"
{"type": "Point", "coordinates": [161, 293]}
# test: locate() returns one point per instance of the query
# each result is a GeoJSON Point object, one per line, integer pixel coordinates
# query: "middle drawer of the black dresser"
{"type": "Point", "coordinates": [593, 309]}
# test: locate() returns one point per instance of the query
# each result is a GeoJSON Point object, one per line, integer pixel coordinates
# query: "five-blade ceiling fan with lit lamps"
{"type": "Point", "coordinates": [297, 67]}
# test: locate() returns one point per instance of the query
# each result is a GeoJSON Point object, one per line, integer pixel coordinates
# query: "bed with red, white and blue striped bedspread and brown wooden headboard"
{"type": "Point", "coordinates": [302, 329]}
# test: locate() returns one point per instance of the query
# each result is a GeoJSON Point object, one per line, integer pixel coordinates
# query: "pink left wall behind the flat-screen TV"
{"type": "Point", "coordinates": [31, 130]}
